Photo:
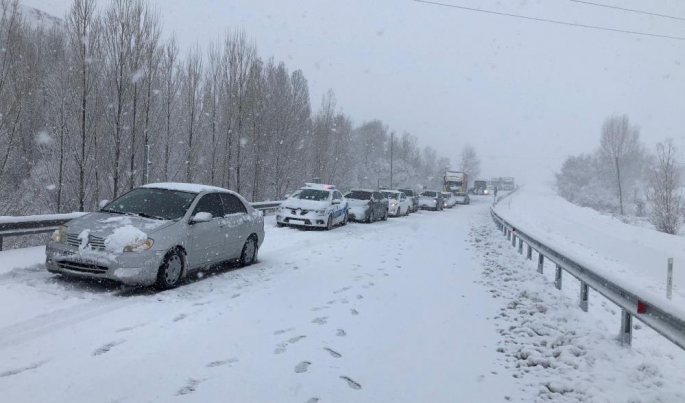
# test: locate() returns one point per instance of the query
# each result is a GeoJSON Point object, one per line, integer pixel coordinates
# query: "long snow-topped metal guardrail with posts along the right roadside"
{"type": "Point", "coordinates": [661, 315]}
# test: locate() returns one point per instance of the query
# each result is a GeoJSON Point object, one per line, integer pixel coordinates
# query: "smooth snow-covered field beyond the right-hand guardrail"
{"type": "Point", "coordinates": [631, 255]}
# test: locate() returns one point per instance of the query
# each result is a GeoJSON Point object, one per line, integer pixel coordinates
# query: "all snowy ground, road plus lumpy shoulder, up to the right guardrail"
{"type": "Point", "coordinates": [434, 307]}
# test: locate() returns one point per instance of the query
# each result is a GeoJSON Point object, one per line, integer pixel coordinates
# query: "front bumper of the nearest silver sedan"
{"type": "Point", "coordinates": [134, 268]}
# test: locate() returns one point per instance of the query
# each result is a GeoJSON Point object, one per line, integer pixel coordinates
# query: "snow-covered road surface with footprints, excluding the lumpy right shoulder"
{"type": "Point", "coordinates": [365, 313]}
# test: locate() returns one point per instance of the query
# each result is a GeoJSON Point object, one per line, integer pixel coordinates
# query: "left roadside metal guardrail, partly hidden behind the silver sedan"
{"type": "Point", "coordinates": [43, 224]}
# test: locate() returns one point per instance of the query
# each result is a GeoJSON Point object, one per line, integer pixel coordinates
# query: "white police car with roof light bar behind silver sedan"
{"type": "Point", "coordinates": [317, 206]}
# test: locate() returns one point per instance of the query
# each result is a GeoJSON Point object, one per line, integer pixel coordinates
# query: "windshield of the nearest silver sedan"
{"type": "Point", "coordinates": [152, 203]}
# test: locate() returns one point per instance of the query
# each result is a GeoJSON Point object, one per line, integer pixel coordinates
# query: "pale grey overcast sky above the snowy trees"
{"type": "Point", "coordinates": [525, 94]}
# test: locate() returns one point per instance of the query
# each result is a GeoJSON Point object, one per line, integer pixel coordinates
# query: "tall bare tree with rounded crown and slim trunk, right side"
{"type": "Point", "coordinates": [620, 142]}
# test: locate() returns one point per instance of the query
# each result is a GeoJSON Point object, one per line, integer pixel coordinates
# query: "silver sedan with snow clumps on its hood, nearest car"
{"type": "Point", "coordinates": [158, 234]}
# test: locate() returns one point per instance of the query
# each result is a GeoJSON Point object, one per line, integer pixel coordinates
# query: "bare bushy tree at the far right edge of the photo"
{"type": "Point", "coordinates": [666, 214]}
